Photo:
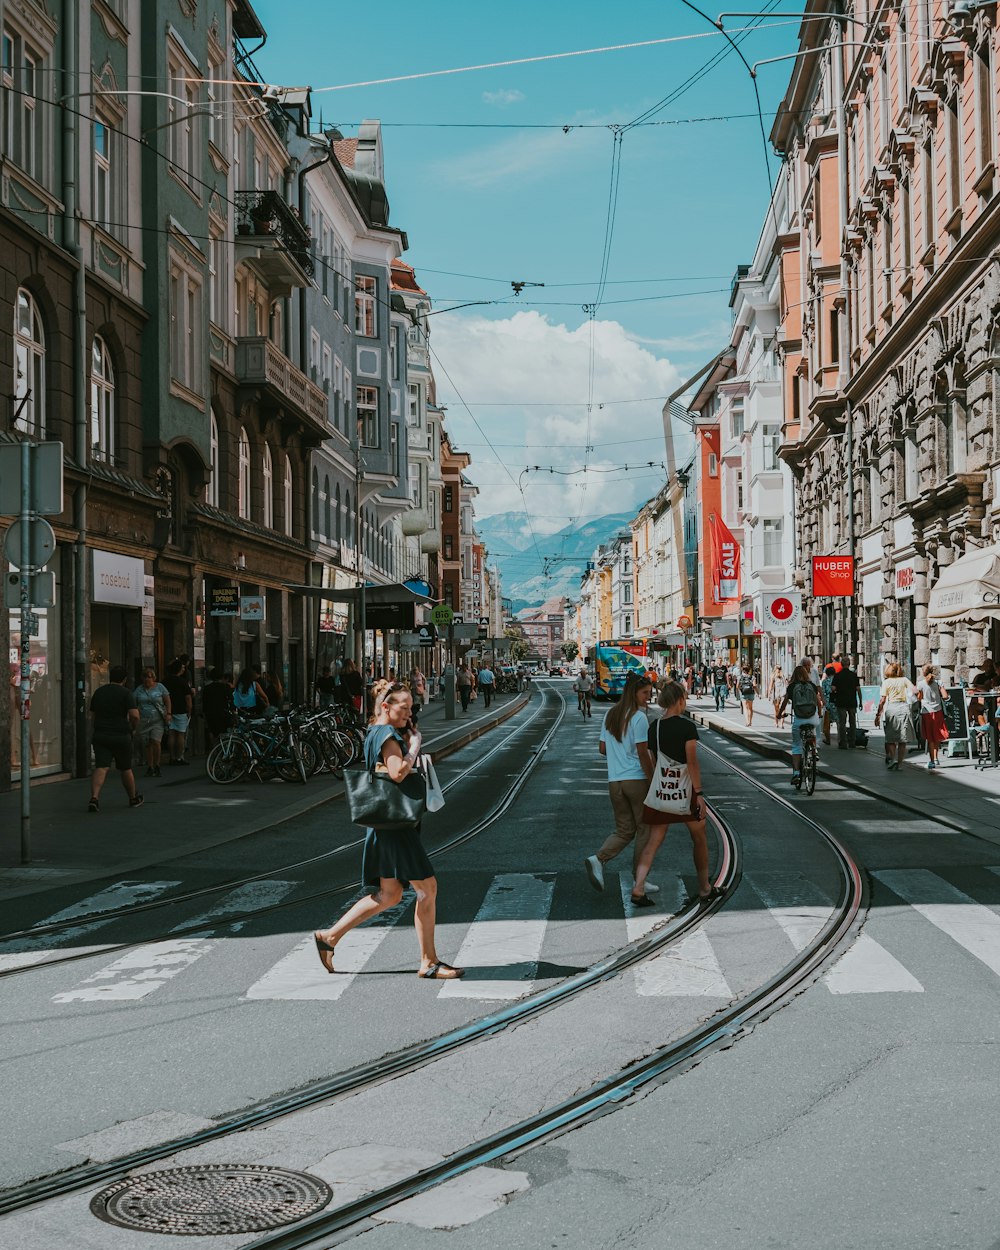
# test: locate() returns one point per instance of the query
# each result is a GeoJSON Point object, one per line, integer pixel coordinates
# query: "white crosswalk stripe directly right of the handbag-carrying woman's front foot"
{"type": "Point", "coordinates": [508, 933]}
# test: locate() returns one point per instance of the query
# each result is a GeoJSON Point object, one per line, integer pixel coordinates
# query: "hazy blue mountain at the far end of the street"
{"type": "Point", "coordinates": [509, 542]}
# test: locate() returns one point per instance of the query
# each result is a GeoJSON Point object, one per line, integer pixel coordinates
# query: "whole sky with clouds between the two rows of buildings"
{"type": "Point", "coordinates": [498, 201]}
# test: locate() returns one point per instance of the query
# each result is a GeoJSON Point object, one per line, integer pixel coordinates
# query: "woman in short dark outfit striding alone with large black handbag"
{"type": "Point", "coordinates": [393, 861]}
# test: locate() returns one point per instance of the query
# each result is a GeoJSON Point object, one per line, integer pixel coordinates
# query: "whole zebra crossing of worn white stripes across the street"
{"type": "Point", "coordinates": [504, 944]}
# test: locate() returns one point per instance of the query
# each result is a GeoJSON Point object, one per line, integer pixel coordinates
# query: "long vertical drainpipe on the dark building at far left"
{"type": "Point", "coordinates": [73, 246]}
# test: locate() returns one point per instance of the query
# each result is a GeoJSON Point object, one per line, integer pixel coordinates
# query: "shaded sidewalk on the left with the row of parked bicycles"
{"type": "Point", "coordinates": [183, 813]}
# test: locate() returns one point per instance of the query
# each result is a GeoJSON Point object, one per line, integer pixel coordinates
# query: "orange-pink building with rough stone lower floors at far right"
{"type": "Point", "coordinates": [891, 368]}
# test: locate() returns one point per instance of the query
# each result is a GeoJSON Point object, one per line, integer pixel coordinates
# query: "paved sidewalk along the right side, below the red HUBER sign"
{"type": "Point", "coordinates": [957, 793]}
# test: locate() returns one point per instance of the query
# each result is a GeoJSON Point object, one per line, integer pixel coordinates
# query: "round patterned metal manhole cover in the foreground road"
{"type": "Point", "coordinates": [212, 1201]}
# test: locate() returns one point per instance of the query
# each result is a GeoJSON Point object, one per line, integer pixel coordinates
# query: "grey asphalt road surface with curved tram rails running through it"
{"type": "Point", "coordinates": [861, 1114]}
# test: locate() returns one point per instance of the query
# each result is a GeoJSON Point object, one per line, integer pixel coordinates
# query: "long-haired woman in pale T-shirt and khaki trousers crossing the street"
{"type": "Point", "coordinates": [624, 744]}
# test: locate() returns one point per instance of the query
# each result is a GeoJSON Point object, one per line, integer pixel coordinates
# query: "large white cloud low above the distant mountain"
{"type": "Point", "coordinates": [514, 366]}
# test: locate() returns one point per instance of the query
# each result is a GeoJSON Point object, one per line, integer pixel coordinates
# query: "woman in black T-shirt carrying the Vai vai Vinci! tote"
{"type": "Point", "coordinates": [672, 742]}
